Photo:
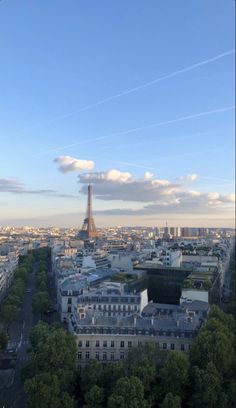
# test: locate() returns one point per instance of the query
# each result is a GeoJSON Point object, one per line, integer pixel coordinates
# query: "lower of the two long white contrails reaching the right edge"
{"type": "Point", "coordinates": [133, 130]}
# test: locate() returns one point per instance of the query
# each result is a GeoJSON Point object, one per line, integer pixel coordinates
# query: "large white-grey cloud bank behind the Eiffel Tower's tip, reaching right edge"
{"type": "Point", "coordinates": [156, 195]}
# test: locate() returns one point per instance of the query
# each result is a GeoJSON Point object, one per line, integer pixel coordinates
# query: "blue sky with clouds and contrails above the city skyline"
{"type": "Point", "coordinates": [58, 58]}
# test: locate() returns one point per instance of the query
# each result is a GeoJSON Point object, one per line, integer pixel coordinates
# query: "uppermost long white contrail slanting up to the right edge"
{"type": "Point", "coordinates": [131, 90]}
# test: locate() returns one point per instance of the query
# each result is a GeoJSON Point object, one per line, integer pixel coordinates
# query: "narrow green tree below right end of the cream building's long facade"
{"type": "Point", "coordinates": [175, 373]}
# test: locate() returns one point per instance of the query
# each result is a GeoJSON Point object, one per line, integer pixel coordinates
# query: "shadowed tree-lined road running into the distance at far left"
{"type": "Point", "coordinates": [13, 397]}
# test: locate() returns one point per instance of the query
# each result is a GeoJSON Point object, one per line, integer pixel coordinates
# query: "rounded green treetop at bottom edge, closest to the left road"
{"type": "Point", "coordinates": [43, 391]}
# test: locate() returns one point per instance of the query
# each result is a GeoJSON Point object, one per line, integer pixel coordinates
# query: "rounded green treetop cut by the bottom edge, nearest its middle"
{"type": "Point", "coordinates": [128, 393]}
